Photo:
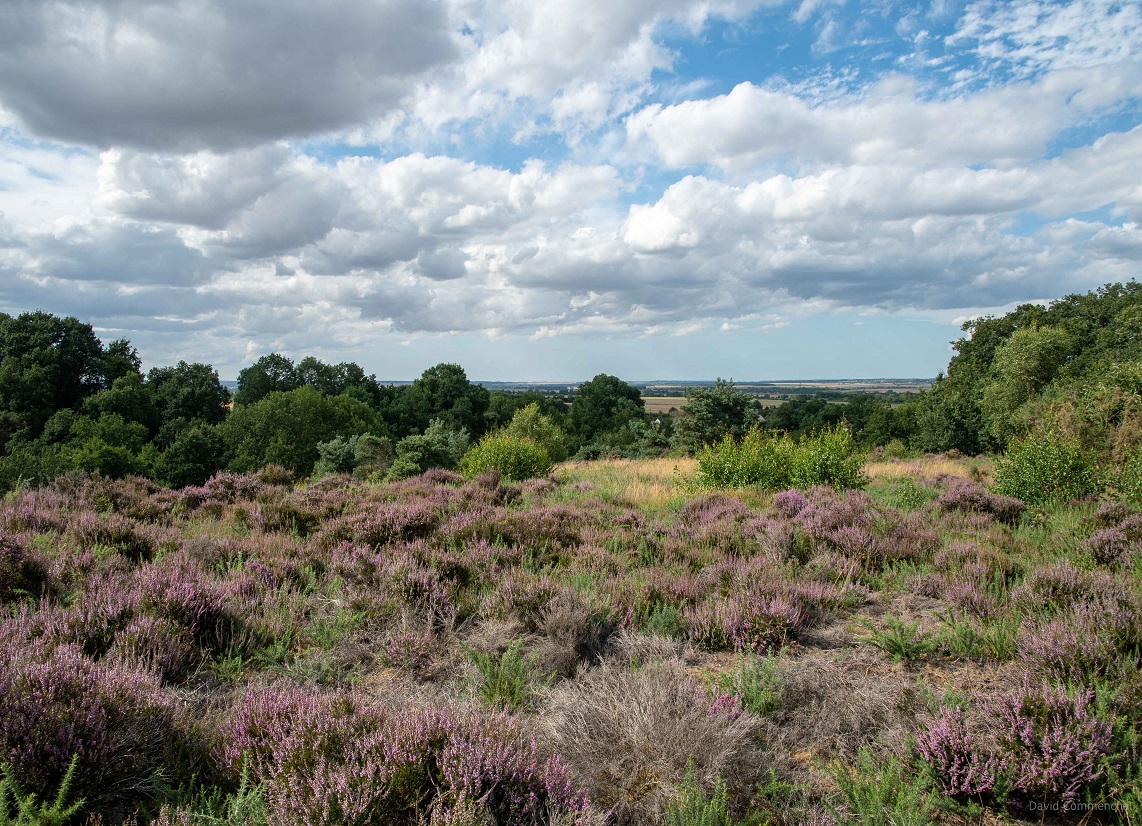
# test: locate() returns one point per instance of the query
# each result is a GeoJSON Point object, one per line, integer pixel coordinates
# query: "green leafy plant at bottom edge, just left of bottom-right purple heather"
{"type": "Point", "coordinates": [875, 795]}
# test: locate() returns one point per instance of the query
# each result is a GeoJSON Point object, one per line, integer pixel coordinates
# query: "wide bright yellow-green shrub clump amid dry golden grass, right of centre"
{"type": "Point", "coordinates": [830, 458]}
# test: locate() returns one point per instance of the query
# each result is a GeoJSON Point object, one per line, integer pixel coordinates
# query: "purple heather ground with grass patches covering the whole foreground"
{"type": "Point", "coordinates": [613, 643]}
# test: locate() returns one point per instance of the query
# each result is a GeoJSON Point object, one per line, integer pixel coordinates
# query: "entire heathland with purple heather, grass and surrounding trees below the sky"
{"type": "Point", "coordinates": [331, 602]}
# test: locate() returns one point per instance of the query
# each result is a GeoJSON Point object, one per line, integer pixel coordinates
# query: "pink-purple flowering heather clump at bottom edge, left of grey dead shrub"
{"type": "Point", "coordinates": [336, 760]}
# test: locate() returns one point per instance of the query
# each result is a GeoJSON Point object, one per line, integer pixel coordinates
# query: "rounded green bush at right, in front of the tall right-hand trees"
{"type": "Point", "coordinates": [1046, 468]}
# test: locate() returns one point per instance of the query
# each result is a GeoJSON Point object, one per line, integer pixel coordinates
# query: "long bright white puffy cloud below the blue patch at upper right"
{"type": "Point", "coordinates": [754, 126]}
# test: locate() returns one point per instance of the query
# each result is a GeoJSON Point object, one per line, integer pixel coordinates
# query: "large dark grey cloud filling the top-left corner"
{"type": "Point", "coordinates": [212, 74]}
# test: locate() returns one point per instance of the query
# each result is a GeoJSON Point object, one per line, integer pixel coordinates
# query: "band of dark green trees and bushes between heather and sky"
{"type": "Point", "coordinates": [70, 403]}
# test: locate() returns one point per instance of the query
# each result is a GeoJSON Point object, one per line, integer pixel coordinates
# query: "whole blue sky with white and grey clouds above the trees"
{"type": "Point", "coordinates": [548, 191]}
